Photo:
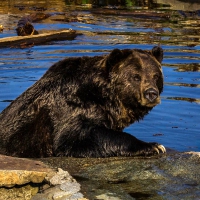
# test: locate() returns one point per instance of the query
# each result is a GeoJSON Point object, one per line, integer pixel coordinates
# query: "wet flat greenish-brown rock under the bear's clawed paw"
{"type": "Point", "coordinates": [171, 176]}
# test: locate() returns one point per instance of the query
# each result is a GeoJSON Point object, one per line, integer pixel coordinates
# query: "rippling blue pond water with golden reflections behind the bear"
{"type": "Point", "coordinates": [175, 122]}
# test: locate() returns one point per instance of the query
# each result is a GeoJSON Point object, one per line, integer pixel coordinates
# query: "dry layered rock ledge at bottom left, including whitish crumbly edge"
{"type": "Point", "coordinates": [21, 179]}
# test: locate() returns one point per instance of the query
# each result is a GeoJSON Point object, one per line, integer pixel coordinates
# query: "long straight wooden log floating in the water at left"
{"type": "Point", "coordinates": [18, 41]}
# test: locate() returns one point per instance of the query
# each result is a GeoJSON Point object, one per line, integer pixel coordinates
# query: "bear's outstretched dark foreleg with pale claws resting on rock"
{"type": "Point", "coordinates": [102, 142]}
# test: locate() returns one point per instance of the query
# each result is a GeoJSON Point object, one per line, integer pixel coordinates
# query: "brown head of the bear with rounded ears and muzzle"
{"type": "Point", "coordinates": [136, 76]}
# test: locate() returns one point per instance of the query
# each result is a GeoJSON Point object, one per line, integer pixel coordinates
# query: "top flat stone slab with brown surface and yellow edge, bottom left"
{"type": "Point", "coordinates": [19, 171]}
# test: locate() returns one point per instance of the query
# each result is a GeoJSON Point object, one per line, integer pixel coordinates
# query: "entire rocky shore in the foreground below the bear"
{"type": "Point", "coordinates": [170, 176]}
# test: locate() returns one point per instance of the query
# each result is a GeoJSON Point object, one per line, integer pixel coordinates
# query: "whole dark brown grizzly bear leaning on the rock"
{"type": "Point", "coordinates": [81, 105]}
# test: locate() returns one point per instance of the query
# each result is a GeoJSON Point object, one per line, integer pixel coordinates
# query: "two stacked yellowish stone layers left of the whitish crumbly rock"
{"type": "Point", "coordinates": [21, 178]}
